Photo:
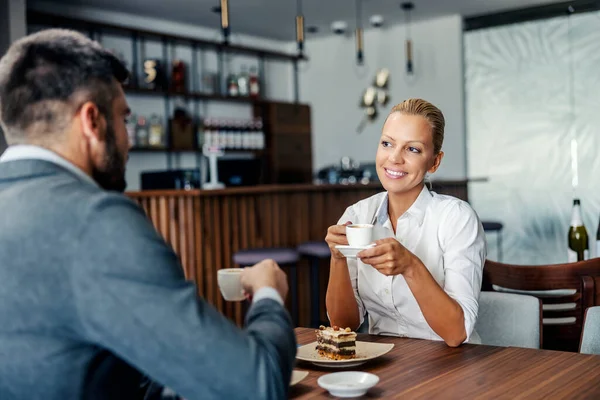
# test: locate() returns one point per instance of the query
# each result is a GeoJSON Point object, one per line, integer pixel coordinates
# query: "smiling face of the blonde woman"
{"type": "Point", "coordinates": [405, 153]}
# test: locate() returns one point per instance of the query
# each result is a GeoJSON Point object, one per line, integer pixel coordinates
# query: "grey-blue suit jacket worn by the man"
{"type": "Point", "coordinates": [92, 299]}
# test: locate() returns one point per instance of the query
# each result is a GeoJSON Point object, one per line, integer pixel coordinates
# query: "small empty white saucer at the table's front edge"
{"type": "Point", "coordinates": [348, 384]}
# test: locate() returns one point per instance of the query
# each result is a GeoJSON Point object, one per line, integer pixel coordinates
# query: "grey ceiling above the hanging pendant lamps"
{"type": "Point", "coordinates": [275, 18]}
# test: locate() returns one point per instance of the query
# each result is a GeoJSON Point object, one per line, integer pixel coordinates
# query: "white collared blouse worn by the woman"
{"type": "Point", "coordinates": [447, 236]}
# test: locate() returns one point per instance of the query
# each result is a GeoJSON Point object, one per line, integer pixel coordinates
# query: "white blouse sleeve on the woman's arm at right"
{"type": "Point", "coordinates": [463, 241]}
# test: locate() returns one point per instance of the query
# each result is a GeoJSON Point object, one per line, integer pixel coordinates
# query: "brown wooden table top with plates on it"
{"type": "Point", "coordinates": [423, 369]}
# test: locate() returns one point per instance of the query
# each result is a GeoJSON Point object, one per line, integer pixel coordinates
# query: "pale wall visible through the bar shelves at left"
{"type": "Point", "coordinates": [278, 75]}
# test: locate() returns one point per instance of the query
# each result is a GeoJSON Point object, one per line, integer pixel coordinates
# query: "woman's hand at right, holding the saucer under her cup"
{"type": "Point", "coordinates": [388, 256]}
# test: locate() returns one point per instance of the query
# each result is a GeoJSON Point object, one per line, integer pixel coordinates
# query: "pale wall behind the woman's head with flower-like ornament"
{"type": "Point", "coordinates": [332, 83]}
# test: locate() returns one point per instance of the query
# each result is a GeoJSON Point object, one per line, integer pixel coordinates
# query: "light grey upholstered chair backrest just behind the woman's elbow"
{"type": "Point", "coordinates": [507, 319]}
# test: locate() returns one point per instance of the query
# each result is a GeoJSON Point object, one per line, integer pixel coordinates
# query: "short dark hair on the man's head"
{"type": "Point", "coordinates": [47, 76]}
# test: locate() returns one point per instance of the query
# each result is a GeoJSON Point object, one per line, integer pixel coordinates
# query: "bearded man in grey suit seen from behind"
{"type": "Point", "coordinates": [91, 298]}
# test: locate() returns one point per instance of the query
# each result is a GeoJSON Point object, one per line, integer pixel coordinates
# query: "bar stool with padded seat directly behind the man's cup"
{"type": "Point", "coordinates": [284, 256]}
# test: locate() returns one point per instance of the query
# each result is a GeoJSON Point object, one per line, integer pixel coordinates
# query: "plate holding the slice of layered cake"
{"type": "Point", "coordinates": [365, 351]}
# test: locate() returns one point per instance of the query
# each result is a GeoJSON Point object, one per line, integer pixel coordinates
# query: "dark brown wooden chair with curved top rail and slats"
{"type": "Point", "coordinates": [566, 291]}
